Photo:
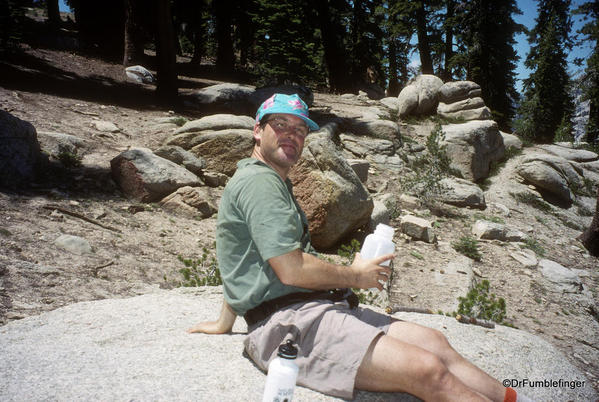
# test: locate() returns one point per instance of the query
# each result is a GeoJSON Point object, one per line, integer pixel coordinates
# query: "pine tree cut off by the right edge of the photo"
{"type": "Point", "coordinates": [590, 31]}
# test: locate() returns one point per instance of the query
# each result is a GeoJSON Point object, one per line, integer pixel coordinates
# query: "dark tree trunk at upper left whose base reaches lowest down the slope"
{"type": "Point", "coordinates": [165, 53]}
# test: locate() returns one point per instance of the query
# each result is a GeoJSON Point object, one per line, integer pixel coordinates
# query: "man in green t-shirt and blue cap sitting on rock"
{"type": "Point", "coordinates": [272, 277]}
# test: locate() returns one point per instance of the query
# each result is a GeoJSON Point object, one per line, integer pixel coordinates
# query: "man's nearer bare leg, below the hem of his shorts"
{"type": "Point", "coordinates": [391, 365]}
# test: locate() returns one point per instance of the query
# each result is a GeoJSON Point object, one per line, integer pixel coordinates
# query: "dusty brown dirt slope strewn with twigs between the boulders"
{"type": "Point", "coordinates": [136, 247]}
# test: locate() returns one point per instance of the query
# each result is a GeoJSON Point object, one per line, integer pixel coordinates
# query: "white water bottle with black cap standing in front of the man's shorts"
{"type": "Point", "coordinates": [282, 374]}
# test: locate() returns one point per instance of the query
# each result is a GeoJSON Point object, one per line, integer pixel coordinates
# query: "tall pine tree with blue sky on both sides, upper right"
{"type": "Point", "coordinates": [547, 101]}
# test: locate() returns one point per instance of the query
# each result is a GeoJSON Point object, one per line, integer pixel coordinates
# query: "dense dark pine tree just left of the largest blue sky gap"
{"type": "Point", "coordinates": [488, 33]}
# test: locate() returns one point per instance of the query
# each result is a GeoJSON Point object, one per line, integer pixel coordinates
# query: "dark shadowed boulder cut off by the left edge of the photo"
{"type": "Point", "coordinates": [20, 151]}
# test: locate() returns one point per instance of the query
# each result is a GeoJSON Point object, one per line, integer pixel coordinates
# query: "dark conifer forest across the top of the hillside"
{"type": "Point", "coordinates": [344, 46]}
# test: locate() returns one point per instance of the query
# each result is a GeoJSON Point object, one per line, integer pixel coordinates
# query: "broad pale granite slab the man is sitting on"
{"type": "Point", "coordinates": [137, 349]}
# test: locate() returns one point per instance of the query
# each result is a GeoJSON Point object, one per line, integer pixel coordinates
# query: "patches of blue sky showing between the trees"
{"type": "Point", "coordinates": [529, 13]}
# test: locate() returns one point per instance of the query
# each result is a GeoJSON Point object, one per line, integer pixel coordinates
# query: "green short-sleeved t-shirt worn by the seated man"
{"type": "Point", "coordinates": [258, 218]}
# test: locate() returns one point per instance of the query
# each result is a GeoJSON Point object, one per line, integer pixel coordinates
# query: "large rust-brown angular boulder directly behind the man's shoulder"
{"type": "Point", "coordinates": [330, 193]}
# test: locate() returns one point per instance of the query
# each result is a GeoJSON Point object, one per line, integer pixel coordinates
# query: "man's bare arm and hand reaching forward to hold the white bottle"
{"type": "Point", "coordinates": [300, 269]}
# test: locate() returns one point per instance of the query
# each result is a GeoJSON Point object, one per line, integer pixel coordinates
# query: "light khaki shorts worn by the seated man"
{"type": "Point", "coordinates": [332, 340]}
